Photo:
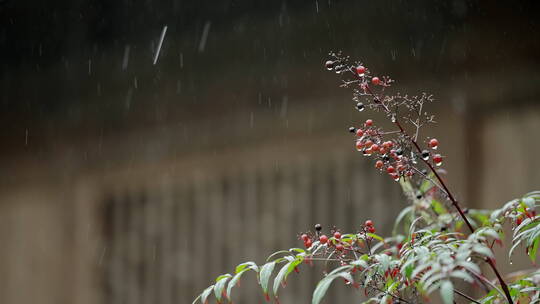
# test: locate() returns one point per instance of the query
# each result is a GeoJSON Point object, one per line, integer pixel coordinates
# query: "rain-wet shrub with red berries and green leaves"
{"type": "Point", "coordinates": [435, 242]}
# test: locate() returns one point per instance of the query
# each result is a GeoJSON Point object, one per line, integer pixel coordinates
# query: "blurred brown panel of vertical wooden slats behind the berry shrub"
{"type": "Point", "coordinates": [165, 243]}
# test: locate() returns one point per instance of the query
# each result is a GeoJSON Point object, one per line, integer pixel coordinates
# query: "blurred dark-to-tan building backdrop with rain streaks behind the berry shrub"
{"type": "Point", "coordinates": [125, 181]}
